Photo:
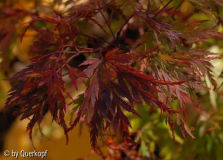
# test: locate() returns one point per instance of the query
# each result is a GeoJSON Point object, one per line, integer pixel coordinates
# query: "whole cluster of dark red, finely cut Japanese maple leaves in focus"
{"type": "Point", "coordinates": [117, 75]}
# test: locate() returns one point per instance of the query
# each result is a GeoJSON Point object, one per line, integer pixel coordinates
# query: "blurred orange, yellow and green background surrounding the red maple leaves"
{"type": "Point", "coordinates": [157, 139]}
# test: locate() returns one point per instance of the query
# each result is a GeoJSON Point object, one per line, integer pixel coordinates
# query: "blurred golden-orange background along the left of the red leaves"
{"type": "Point", "coordinates": [53, 140]}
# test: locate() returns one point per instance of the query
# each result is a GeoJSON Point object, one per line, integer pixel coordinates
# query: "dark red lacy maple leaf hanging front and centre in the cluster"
{"type": "Point", "coordinates": [115, 87]}
